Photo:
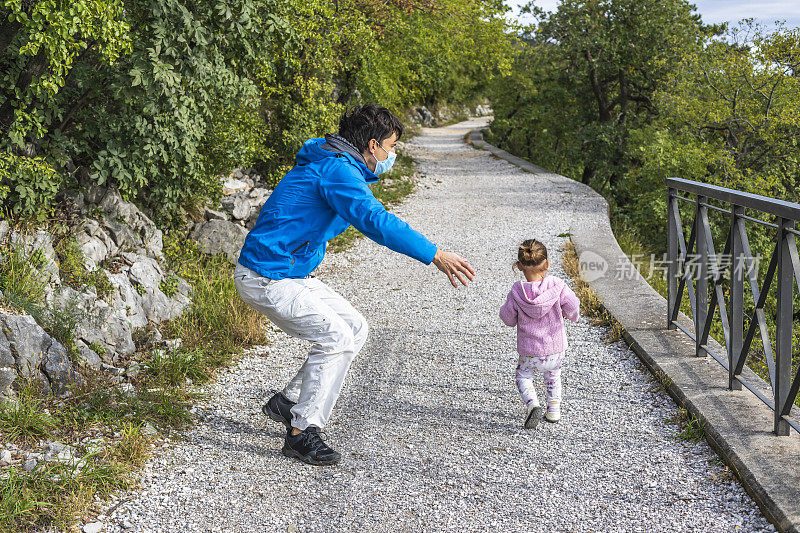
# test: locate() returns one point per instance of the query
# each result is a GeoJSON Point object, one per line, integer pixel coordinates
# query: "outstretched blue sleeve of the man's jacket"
{"type": "Point", "coordinates": [352, 199]}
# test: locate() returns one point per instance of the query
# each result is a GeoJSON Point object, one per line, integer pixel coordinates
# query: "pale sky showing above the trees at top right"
{"type": "Point", "coordinates": [715, 11]}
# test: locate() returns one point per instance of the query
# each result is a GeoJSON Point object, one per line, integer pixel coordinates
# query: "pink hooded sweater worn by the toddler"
{"type": "Point", "coordinates": [536, 309]}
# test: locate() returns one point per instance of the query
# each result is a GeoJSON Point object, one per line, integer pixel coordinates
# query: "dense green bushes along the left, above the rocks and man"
{"type": "Point", "coordinates": [159, 98]}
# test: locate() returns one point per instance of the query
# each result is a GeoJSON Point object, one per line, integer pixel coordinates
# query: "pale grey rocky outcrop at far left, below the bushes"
{"type": "Point", "coordinates": [117, 241]}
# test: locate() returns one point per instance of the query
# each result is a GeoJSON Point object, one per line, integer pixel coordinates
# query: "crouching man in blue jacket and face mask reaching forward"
{"type": "Point", "coordinates": [318, 199]}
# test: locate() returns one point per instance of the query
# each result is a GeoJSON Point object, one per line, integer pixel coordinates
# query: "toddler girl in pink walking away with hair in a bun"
{"type": "Point", "coordinates": [537, 307]}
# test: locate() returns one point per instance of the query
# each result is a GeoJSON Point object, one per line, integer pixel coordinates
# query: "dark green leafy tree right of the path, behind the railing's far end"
{"type": "Point", "coordinates": [587, 77]}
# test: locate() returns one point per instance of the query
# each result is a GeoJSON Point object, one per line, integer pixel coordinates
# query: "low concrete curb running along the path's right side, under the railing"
{"type": "Point", "coordinates": [736, 423]}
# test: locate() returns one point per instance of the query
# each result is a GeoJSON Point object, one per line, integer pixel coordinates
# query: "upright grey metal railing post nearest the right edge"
{"type": "Point", "coordinates": [783, 325]}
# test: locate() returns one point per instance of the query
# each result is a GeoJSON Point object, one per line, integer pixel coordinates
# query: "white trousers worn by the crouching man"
{"type": "Point", "coordinates": [309, 310]}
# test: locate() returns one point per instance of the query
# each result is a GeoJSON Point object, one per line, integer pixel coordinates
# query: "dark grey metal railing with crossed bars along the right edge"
{"type": "Point", "coordinates": [735, 264]}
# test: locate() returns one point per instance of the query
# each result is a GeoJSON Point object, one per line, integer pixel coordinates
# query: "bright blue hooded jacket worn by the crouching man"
{"type": "Point", "coordinates": [317, 200]}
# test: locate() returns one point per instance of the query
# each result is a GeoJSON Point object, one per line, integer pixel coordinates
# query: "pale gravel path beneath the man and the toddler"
{"type": "Point", "coordinates": [429, 421]}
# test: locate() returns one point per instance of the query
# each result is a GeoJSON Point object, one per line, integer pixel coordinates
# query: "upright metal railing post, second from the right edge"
{"type": "Point", "coordinates": [736, 319]}
